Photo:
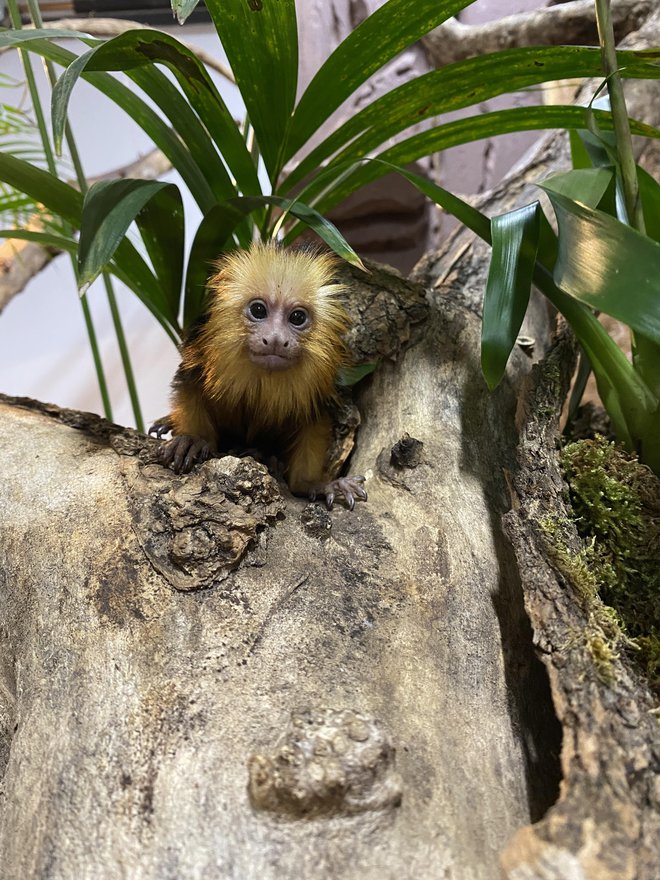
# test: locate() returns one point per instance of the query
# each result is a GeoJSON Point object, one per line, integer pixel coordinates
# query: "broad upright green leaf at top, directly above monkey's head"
{"type": "Point", "coordinates": [260, 38]}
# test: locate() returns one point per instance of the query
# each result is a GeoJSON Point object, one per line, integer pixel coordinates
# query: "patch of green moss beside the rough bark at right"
{"type": "Point", "coordinates": [616, 501]}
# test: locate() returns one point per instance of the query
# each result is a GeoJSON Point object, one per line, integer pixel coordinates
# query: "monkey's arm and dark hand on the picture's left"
{"type": "Point", "coordinates": [194, 435]}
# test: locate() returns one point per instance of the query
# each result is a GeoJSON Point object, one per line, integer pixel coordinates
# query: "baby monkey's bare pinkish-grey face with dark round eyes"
{"type": "Point", "coordinates": [276, 332]}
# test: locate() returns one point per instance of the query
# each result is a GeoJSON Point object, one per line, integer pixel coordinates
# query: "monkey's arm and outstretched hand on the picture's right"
{"type": "Point", "coordinates": [307, 473]}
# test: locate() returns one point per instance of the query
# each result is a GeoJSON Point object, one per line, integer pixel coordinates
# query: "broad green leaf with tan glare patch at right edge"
{"type": "Point", "coordinates": [607, 264]}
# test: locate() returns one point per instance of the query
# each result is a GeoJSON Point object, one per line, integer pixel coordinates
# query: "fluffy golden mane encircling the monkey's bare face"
{"type": "Point", "coordinates": [230, 379]}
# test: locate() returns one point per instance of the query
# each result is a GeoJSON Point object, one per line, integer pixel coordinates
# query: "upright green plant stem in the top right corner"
{"type": "Point", "coordinates": [619, 115]}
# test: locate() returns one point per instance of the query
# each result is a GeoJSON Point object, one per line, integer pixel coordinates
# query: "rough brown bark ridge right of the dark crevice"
{"type": "Point", "coordinates": [606, 824]}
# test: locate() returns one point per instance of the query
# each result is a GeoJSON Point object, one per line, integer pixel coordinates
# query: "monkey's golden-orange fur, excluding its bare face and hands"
{"type": "Point", "coordinates": [231, 398]}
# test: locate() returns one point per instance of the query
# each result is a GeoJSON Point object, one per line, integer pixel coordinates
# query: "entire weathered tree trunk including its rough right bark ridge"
{"type": "Point", "coordinates": [202, 677]}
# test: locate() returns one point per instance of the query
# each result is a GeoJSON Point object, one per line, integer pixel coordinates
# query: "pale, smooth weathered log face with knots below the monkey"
{"type": "Point", "coordinates": [167, 637]}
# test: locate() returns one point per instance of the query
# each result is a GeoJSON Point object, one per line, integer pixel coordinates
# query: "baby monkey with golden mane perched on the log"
{"type": "Point", "coordinates": [259, 368]}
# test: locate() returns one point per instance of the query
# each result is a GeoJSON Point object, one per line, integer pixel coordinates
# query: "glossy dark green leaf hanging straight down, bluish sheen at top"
{"type": "Point", "coordinates": [515, 239]}
